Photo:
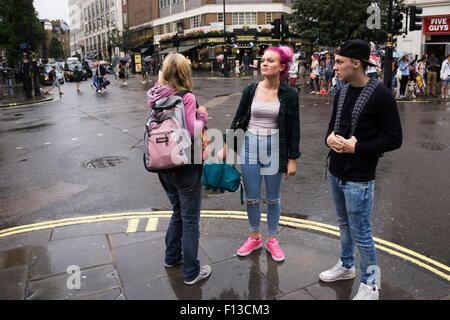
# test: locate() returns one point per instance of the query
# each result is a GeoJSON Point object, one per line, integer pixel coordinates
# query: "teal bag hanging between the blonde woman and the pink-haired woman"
{"type": "Point", "coordinates": [221, 177]}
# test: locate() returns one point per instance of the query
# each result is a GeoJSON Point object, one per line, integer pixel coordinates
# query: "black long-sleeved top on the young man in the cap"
{"type": "Point", "coordinates": [378, 130]}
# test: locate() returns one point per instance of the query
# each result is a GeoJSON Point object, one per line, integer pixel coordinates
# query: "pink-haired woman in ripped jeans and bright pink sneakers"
{"type": "Point", "coordinates": [272, 108]}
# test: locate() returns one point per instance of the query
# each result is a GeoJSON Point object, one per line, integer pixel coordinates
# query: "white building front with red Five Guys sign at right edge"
{"type": "Point", "coordinates": [435, 34]}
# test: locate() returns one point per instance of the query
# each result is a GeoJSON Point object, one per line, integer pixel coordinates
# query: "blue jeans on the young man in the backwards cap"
{"type": "Point", "coordinates": [353, 209]}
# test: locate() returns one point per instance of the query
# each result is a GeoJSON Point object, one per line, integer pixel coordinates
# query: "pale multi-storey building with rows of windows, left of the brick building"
{"type": "Point", "coordinates": [99, 18]}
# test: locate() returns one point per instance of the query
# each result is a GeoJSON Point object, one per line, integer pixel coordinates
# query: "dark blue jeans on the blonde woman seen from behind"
{"type": "Point", "coordinates": [184, 189]}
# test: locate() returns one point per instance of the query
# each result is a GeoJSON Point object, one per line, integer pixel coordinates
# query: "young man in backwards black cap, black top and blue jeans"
{"type": "Point", "coordinates": [364, 124]}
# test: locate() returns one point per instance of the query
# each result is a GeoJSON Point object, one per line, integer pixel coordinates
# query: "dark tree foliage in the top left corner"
{"type": "Point", "coordinates": [15, 28]}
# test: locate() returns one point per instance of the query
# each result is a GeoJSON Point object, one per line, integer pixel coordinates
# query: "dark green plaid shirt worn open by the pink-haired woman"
{"type": "Point", "coordinates": [288, 120]}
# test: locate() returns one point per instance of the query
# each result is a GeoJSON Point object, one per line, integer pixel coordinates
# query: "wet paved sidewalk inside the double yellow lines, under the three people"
{"type": "Point", "coordinates": [117, 265]}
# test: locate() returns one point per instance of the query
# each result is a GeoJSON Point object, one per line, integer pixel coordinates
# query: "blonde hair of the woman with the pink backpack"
{"type": "Point", "coordinates": [176, 72]}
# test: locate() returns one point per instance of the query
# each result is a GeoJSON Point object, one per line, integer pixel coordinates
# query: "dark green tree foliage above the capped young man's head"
{"type": "Point", "coordinates": [330, 23]}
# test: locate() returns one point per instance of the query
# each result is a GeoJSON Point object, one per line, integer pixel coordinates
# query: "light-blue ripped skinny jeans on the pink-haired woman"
{"type": "Point", "coordinates": [259, 159]}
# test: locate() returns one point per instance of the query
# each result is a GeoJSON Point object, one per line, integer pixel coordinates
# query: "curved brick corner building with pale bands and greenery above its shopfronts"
{"type": "Point", "coordinates": [199, 26]}
